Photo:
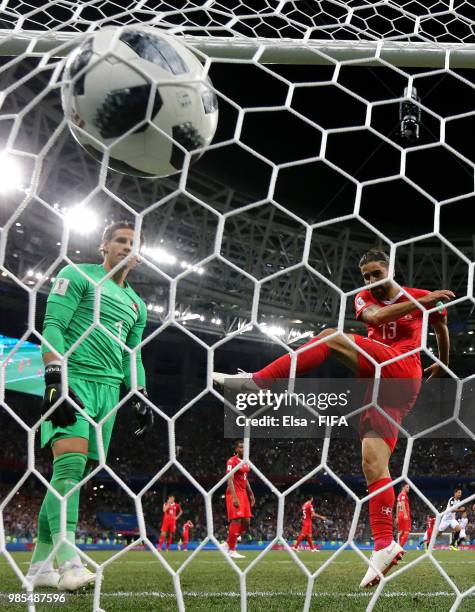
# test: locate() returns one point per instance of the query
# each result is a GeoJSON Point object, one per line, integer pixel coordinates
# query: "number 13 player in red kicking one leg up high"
{"type": "Point", "coordinates": [394, 326]}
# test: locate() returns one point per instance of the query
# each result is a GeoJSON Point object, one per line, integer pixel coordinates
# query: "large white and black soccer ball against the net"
{"type": "Point", "coordinates": [144, 95]}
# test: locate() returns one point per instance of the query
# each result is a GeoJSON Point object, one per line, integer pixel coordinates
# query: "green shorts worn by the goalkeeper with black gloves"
{"type": "Point", "coordinates": [99, 400]}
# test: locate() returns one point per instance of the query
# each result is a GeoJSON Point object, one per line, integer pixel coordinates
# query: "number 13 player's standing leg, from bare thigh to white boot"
{"type": "Point", "coordinates": [387, 552]}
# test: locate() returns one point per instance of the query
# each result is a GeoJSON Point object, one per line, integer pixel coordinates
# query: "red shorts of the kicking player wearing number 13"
{"type": "Point", "coordinates": [408, 369]}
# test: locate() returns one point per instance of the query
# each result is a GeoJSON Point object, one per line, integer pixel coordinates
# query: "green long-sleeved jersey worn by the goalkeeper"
{"type": "Point", "coordinates": [70, 313]}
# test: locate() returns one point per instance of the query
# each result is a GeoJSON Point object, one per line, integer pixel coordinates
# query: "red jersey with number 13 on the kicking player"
{"type": "Point", "coordinates": [404, 334]}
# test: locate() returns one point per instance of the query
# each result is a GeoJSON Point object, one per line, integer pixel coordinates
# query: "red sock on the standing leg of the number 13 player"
{"type": "Point", "coordinates": [381, 513]}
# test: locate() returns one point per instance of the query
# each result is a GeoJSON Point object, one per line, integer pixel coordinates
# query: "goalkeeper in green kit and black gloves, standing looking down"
{"type": "Point", "coordinates": [96, 368]}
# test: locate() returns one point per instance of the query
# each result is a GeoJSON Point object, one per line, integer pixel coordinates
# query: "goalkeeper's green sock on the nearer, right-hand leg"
{"type": "Point", "coordinates": [68, 470]}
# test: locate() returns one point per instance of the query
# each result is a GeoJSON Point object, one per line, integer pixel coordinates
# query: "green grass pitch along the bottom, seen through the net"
{"type": "Point", "coordinates": [137, 581]}
